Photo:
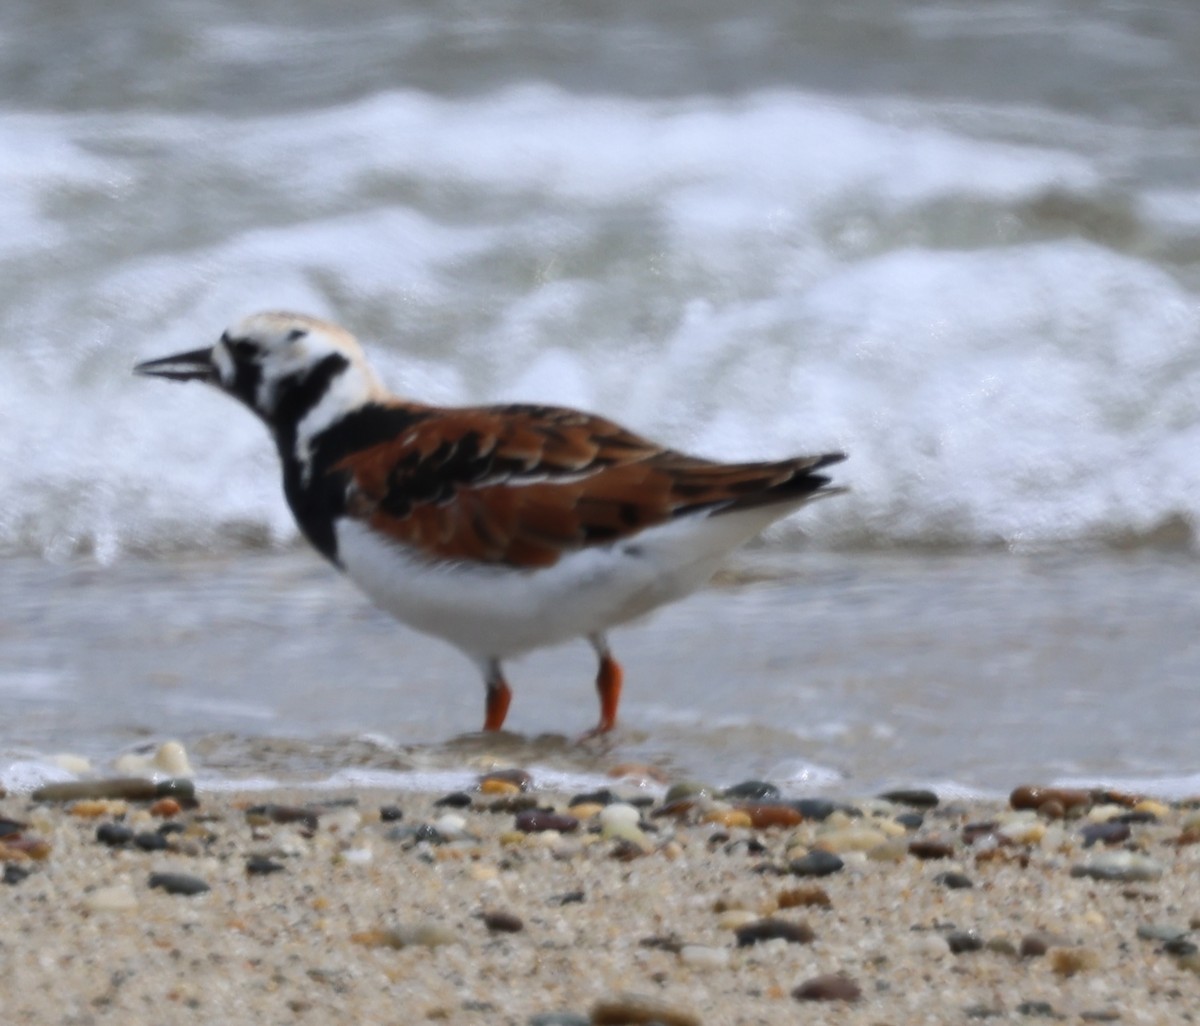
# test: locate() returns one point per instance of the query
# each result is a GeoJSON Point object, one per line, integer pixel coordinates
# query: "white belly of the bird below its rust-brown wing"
{"type": "Point", "coordinates": [500, 613]}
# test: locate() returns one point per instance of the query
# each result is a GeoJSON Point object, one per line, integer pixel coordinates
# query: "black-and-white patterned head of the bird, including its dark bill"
{"type": "Point", "coordinates": [284, 367]}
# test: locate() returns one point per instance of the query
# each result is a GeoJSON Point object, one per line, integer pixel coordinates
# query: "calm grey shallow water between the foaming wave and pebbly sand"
{"type": "Point", "coordinates": [826, 673]}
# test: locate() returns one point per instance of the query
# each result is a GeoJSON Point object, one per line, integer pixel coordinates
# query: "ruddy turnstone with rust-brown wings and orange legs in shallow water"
{"type": "Point", "coordinates": [499, 529]}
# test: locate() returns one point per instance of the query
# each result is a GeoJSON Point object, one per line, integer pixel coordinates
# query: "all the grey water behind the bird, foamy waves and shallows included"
{"type": "Point", "coordinates": [959, 241]}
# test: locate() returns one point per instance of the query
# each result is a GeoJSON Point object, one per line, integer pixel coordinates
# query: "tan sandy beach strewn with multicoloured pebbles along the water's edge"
{"type": "Point", "coordinates": [511, 904]}
